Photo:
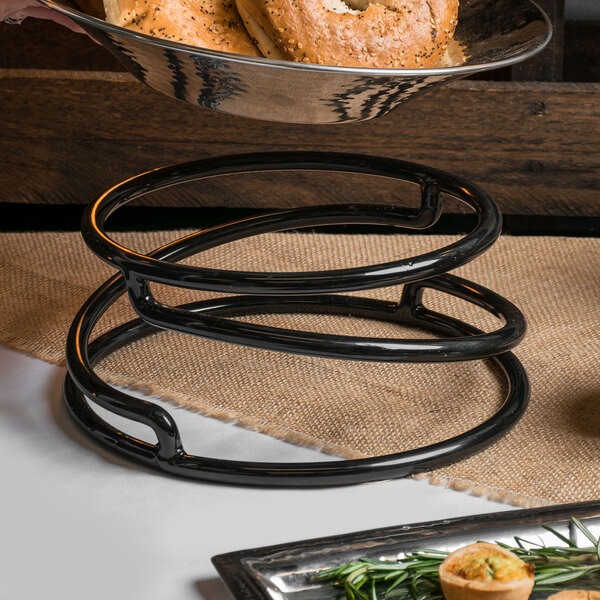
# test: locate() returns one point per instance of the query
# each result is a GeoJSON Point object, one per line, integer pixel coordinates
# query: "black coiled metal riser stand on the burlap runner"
{"type": "Point", "coordinates": [314, 292]}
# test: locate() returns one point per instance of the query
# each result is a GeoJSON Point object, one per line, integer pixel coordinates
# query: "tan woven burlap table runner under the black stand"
{"type": "Point", "coordinates": [356, 409]}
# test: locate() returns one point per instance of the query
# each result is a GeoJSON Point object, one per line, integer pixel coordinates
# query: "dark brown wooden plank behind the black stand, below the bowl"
{"type": "Point", "coordinates": [67, 137]}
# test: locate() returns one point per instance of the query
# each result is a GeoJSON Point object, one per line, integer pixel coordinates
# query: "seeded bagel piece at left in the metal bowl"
{"type": "Point", "coordinates": [212, 24]}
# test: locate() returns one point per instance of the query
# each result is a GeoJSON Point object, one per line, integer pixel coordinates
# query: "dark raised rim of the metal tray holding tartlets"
{"type": "Point", "coordinates": [240, 582]}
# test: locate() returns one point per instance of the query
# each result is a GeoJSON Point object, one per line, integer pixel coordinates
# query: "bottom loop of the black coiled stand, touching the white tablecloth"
{"type": "Point", "coordinates": [82, 384]}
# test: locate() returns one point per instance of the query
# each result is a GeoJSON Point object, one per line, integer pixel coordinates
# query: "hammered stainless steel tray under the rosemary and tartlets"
{"type": "Point", "coordinates": [285, 572]}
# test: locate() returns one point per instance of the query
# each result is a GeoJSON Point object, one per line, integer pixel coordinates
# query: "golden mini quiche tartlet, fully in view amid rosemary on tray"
{"type": "Point", "coordinates": [485, 572]}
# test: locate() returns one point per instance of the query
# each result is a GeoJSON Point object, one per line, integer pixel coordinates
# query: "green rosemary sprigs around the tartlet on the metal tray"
{"type": "Point", "coordinates": [415, 576]}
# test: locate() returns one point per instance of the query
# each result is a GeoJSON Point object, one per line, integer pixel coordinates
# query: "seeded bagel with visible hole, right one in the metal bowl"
{"type": "Point", "coordinates": [355, 33]}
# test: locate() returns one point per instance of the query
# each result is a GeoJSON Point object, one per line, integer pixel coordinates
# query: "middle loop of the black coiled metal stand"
{"type": "Point", "coordinates": [465, 347]}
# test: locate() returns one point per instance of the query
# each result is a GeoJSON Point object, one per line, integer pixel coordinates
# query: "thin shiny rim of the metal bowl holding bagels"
{"type": "Point", "coordinates": [79, 16]}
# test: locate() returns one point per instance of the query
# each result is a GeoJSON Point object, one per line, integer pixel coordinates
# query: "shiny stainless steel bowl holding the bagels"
{"type": "Point", "coordinates": [490, 34]}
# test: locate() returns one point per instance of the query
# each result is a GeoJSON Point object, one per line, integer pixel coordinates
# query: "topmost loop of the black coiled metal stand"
{"type": "Point", "coordinates": [432, 183]}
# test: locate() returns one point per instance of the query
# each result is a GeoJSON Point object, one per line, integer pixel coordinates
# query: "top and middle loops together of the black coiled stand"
{"type": "Point", "coordinates": [139, 269]}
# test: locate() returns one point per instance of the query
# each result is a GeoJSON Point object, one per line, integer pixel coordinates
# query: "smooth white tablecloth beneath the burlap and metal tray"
{"type": "Point", "coordinates": [80, 524]}
